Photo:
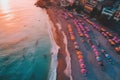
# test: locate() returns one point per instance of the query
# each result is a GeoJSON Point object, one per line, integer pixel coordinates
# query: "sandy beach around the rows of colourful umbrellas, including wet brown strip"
{"type": "Point", "coordinates": [95, 72]}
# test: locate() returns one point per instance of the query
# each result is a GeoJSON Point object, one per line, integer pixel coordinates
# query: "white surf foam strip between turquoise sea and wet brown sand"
{"type": "Point", "coordinates": [54, 52]}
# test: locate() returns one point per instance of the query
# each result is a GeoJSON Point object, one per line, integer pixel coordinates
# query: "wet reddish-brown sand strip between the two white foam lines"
{"type": "Point", "coordinates": [59, 39]}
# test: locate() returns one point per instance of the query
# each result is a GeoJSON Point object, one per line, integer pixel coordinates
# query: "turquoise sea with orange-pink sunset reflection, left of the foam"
{"type": "Point", "coordinates": [24, 41]}
